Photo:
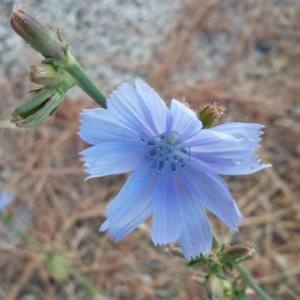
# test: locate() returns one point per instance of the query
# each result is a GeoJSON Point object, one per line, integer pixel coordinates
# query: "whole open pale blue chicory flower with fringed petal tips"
{"type": "Point", "coordinates": [174, 162]}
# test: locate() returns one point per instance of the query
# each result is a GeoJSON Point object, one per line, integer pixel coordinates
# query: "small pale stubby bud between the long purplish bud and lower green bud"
{"type": "Point", "coordinates": [45, 74]}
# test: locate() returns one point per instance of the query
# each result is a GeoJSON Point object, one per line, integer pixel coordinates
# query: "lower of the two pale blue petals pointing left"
{"type": "Point", "coordinates": [113, 157]}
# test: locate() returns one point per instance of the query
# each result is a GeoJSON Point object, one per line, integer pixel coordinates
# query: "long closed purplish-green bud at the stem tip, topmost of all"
{"type": "Point", "coordinates": [36, 34]}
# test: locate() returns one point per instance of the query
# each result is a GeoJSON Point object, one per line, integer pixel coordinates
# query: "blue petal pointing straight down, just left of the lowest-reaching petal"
{"type": "Point", "coordinates": [166, 216]}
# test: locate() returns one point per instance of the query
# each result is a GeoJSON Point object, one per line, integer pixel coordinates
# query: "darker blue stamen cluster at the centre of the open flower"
{"type": "Point", "coordinates": [166, 153]}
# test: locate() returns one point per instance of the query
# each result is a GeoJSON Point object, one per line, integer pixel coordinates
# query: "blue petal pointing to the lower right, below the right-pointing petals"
{"type": "Point", "coordinates": [212, 193]}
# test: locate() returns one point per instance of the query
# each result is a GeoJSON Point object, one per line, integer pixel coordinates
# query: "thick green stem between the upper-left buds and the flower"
{"type": "Point", "coordinates": [71, 66]}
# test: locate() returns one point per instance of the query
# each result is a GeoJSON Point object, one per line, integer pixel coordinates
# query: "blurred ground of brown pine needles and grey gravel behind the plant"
{"type": "Point", "coordinates": [242, 54]}
